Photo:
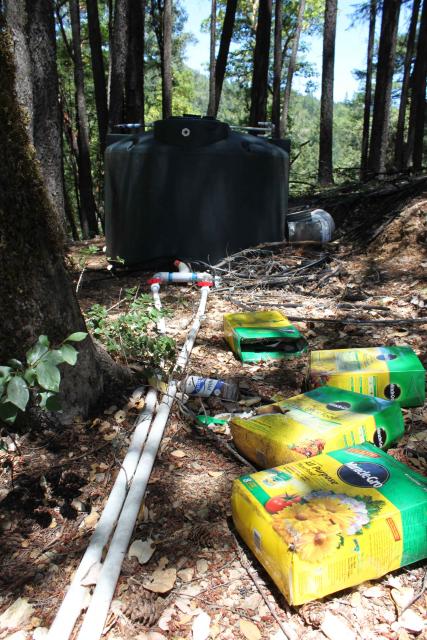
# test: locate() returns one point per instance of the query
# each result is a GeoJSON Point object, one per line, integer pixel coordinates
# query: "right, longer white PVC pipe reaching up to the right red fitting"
{"type": "Point", "coordinates": [96, 615]}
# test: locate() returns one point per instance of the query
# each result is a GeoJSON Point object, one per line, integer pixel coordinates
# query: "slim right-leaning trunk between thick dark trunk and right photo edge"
{"type": "Point", "coordinates": [410, 44]}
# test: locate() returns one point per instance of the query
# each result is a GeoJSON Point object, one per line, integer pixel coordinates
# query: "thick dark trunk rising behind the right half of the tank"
{"type": "Point", "coordinates": [258, 110]}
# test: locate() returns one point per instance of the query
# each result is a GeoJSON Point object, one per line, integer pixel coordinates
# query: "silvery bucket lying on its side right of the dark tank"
{"type": "Point", "coordinates": [310, 226]}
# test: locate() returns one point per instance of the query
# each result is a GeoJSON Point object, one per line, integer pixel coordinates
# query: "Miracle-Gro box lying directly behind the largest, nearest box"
{"type": "Point", "coordinates": [320, 420]}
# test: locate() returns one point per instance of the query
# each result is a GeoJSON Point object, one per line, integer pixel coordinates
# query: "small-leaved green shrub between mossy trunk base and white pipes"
{"type": "Point", "coordinates": [133, 334]}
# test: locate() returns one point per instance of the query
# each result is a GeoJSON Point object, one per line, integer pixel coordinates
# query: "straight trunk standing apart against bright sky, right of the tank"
{"type": "Point", "coordinates": [327, 99]}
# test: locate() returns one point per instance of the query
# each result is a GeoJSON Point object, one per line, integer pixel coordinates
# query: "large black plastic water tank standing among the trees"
{"type": "Point", "coordinates": [192, 189]}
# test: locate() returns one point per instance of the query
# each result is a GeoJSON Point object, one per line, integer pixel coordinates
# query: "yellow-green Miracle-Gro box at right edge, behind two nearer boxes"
{"type": "Point", "coordinates": [394, 373]}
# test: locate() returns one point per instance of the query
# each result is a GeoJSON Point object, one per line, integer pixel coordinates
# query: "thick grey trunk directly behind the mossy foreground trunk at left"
{"type": "Point", "coordinates": [33, 25]}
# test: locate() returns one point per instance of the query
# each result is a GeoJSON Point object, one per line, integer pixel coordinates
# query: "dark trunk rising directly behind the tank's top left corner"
{"type": "Point", "coordinates": [119, 49]}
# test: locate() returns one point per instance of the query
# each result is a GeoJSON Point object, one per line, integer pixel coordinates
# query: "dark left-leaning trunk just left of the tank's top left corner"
{"type": "Point", "coordinates": [98, 70]}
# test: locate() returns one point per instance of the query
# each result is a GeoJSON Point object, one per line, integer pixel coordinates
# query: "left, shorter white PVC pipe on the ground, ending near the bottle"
{"type": "Point", "coordinates": [71, 606]}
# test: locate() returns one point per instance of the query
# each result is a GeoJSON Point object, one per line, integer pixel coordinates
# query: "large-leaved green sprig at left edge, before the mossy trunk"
{"type": "Point", "coordinates": [39, 374]}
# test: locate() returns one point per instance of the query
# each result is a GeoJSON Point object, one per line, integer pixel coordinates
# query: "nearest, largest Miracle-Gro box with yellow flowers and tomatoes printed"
{"type": "Point", "coordinates": [324, 524]}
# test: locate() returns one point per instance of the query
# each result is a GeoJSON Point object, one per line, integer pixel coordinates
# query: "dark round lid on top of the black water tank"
{"type": "Point", "coordinates": [190, 132]}
